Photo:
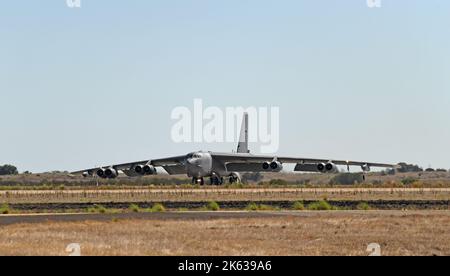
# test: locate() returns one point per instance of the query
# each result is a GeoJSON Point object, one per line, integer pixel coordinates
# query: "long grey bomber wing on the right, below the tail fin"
{"type": "Point", "coordinates": [236, 160]}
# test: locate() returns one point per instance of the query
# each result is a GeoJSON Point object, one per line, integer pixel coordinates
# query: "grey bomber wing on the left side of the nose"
{"type": "Point", "coordinates": [173, 165]}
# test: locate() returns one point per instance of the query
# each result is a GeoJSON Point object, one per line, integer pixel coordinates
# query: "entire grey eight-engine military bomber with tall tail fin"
{"type": "Point", "coordinates": [215, 166]}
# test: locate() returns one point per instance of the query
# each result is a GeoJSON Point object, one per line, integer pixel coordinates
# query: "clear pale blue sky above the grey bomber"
{"type": "Point", "coordinates": [96, 85]}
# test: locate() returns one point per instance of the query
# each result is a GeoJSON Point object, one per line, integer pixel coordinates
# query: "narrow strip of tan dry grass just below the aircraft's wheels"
{"type": "Point", "coordinates": [206, 195]}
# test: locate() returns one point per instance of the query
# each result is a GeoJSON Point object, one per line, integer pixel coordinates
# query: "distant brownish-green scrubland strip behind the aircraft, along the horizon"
{"type": "Point", "coordinates": [377, 179]}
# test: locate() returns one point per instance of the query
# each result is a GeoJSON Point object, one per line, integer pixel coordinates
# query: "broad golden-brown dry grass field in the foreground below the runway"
{"type": "Point", "coordinates": [303, 233]}
